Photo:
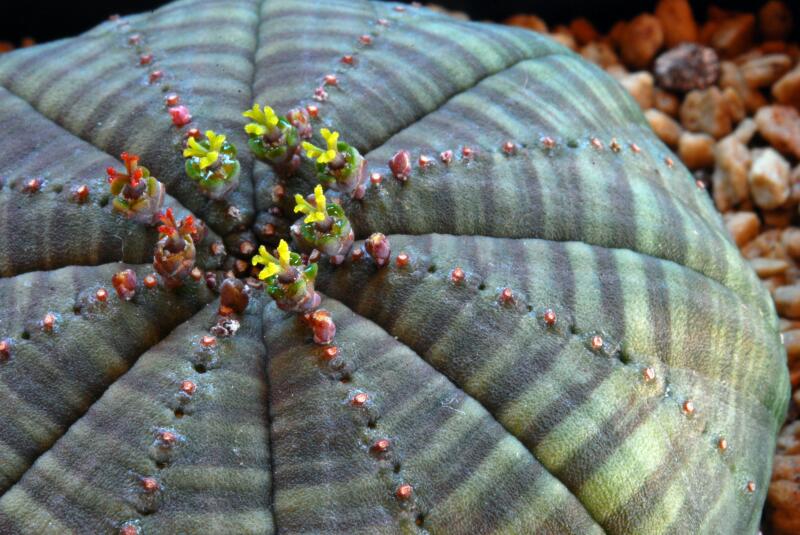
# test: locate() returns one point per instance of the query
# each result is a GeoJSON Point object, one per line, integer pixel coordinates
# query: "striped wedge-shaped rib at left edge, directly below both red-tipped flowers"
{"type": "Point", "coordinates": [53, 377]}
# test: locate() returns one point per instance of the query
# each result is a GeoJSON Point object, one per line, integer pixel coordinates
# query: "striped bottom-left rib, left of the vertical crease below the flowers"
{"type": "Point", "coordinates": [216, 476]}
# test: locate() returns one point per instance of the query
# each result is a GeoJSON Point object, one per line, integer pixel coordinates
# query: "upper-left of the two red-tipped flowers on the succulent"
{"type": "Point", "coordinates": [137, 194]}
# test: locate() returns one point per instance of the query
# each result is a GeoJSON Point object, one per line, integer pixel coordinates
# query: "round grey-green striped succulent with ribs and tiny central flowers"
{"type": "Point", "coordinates": [541, 327]}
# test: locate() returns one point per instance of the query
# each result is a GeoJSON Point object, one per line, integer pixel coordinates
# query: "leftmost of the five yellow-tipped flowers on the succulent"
{"type": "Point", "coordinates": [212, 163]}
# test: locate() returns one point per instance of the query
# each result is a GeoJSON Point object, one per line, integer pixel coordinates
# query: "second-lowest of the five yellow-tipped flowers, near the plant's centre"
{"type": "Point", "coordinates": [324, 227]}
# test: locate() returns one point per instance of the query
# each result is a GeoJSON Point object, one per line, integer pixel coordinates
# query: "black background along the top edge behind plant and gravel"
{"type": "Point", "coordinates": [47, 20]}
